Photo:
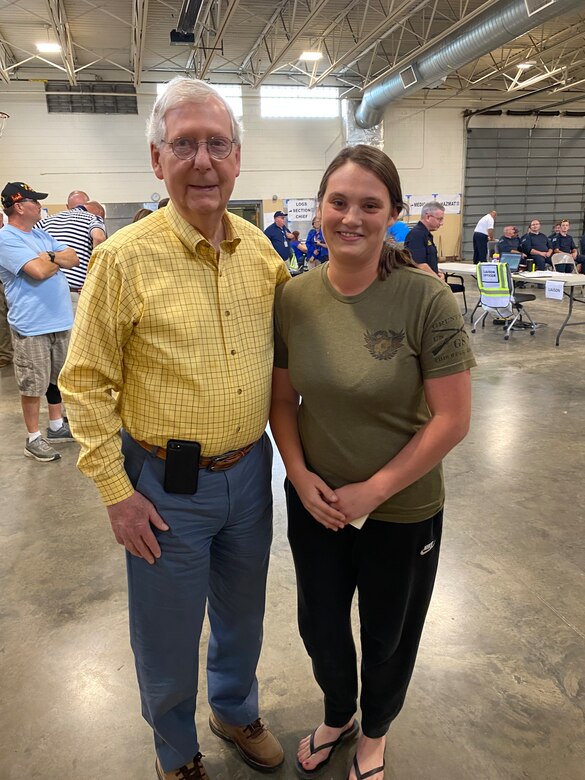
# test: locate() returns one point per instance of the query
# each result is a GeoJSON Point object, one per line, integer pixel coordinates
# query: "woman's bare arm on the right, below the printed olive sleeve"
{"type": "Point", "coordinates": [449, 401]}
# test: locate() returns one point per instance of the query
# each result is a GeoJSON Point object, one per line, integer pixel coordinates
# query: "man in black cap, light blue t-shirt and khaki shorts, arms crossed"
{"type": "Point", "coordinates": [39, 313]}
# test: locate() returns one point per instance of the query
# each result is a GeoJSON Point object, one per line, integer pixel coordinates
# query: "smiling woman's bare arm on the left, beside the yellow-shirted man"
{"type": "Point", "coordinates": [315, 494]}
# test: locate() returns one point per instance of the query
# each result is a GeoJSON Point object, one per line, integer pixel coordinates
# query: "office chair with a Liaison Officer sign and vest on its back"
{"type": "Point", "coordinates": [497, 296]}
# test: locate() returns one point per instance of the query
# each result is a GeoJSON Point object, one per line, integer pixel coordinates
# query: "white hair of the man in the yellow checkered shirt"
{"type": "Point", "coordinates": [183, 90]}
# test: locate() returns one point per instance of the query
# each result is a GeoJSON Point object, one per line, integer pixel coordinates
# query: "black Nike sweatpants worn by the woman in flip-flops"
{"type": "Point", "coordinates": [393, 567]}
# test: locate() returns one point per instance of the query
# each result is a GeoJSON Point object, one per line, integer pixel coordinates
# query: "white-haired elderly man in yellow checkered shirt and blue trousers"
{"type": "Point", "coordinates": [173, 344]}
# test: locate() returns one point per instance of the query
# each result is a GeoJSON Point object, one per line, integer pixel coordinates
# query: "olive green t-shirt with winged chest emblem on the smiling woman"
{"type": "Point", "coordinates": [358, 362]}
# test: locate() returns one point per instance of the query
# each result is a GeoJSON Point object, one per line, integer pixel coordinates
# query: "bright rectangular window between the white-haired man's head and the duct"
{"type": "Point", "coordinates": [299, 102]}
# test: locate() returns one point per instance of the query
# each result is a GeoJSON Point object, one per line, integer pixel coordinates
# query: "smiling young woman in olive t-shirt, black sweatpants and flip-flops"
{"type": "Point", "coordinates": [385, 390]}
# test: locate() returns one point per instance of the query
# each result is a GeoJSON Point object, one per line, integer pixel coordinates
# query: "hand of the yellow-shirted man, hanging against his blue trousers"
{"type": "Point", "coordinates": [131, 519]}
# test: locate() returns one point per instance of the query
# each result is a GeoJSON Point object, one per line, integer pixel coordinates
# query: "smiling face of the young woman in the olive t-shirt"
{"type": "Point", "coordinates": [355, 214]}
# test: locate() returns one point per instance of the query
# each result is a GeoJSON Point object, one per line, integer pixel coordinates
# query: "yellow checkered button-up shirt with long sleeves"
{"type": "Point", "coordinates": [171, 342]}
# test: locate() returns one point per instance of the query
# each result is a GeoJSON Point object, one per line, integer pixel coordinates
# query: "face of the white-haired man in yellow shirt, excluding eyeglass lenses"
{"type": "Point", "coordinates": [199, 188]}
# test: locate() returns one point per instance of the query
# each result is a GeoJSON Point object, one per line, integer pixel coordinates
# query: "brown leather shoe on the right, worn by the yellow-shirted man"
{"type": "Point", "coordinates": [256, 745]}
